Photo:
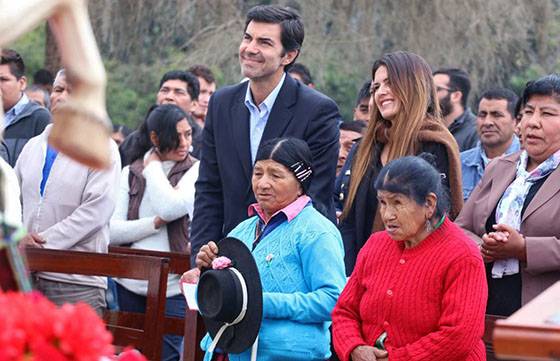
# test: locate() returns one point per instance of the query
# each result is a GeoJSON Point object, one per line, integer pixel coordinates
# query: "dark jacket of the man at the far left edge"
{"type": "Point", "coordinates": [29, 123]}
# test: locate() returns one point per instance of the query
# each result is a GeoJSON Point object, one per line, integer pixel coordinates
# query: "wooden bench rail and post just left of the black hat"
{"type": "Point", "coordinates": [192, 326]}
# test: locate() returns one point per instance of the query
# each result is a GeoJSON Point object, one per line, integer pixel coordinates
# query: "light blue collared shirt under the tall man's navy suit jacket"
{"type": "Point", "coordinates": [259, 115]}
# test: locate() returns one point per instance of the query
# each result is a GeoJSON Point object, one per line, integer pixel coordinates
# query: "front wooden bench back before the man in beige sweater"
{"type": "Point", "coordinates": [143, 331]}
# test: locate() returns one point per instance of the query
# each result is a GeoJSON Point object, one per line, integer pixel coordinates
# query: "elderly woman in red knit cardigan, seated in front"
{"type": "Point", "coordinates": [418, 291]}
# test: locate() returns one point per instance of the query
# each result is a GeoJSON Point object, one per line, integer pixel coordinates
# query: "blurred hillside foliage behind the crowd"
{"type": "Point", "coordinates": [342, 40]}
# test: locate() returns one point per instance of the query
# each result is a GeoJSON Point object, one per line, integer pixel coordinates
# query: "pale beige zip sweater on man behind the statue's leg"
{"type": "Point", "coordinates": [76, 206]}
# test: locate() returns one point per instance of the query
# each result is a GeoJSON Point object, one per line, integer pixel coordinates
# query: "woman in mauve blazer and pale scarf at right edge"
{"type": "Point", "coordinates": [513, 213]}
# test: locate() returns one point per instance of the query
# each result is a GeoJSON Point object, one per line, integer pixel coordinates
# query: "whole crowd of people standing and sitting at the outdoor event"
{"type": "Point", "coordinates": [391, 234]}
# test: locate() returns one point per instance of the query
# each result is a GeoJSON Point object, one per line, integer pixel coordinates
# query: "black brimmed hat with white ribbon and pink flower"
{"type": "Point", "coordinates": [229, 298]}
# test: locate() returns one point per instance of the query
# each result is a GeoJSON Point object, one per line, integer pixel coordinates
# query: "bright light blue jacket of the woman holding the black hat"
{"type": "Point", "coordinates": [301, 265]}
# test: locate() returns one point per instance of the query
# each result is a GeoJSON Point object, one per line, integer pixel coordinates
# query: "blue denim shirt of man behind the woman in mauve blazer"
{"type": "Point", "coordinates": [473, 163]}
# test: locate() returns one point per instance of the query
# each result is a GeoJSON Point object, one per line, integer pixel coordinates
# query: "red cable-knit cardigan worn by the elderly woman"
{"type": "Point", "coordinates": [430, 299]}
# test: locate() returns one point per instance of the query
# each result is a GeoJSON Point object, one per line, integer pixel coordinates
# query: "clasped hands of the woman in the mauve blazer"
{"type": "Point", "coordinates": [505, 243]}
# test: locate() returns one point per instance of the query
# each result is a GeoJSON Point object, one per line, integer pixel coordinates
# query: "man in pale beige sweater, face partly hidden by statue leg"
{"type": "Point", "coordinates": [66, 206]}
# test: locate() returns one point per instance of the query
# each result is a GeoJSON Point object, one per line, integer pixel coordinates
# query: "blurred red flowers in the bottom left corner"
{"type": "Point", "coordinates": [34, 329]}
